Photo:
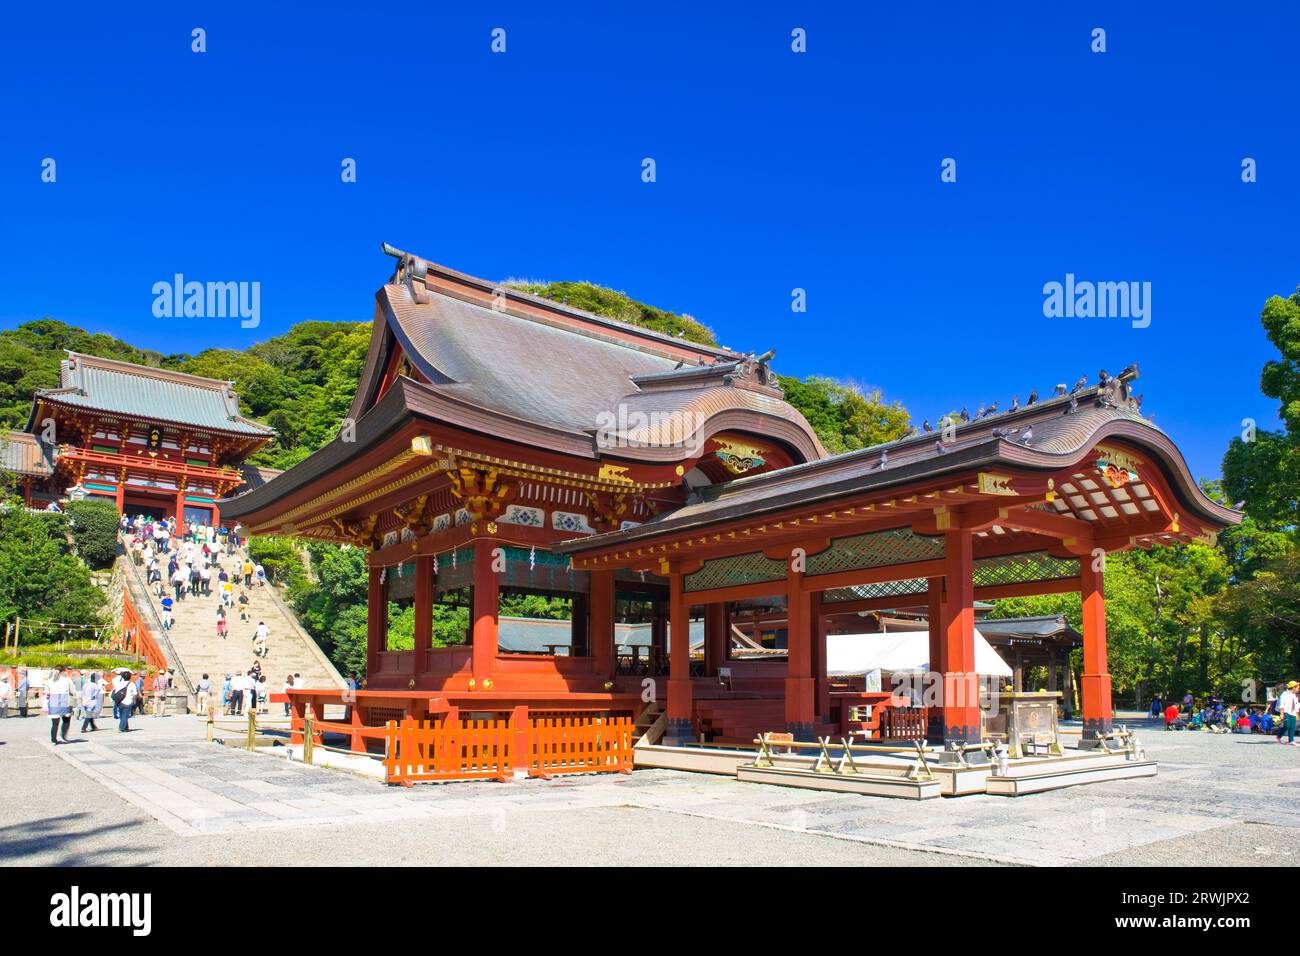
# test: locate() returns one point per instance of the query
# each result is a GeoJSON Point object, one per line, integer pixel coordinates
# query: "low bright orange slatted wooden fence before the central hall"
{"type": "Point", "coordinates": [467, 750]}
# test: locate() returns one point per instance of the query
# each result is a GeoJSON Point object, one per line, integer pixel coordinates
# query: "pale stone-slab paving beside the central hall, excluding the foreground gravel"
{"type": "Point", "coordinates": [1240, 786]}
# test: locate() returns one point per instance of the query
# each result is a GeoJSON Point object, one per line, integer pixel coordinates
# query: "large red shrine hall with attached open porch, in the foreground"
{"type": "Point", "coordinates": [505, 444]}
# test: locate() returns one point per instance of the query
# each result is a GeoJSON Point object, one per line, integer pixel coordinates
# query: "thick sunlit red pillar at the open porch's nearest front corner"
{"type": "Point", "coordinates": [961, 684]}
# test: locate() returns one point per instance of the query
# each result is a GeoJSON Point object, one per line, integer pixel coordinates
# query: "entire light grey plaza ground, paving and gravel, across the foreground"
{"type": "Point", "coordinates": [163, 795]}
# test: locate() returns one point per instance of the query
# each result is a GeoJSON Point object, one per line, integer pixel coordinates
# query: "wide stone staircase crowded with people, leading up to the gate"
{"type": "Point", "coordinates": [196, 644]}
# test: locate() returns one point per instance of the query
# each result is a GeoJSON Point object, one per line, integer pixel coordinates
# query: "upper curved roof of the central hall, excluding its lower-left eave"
{"type": "Point", "coordinates": [648, 395]}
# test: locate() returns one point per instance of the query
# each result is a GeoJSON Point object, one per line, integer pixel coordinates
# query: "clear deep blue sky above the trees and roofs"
{"type": "Point", "coordinates": [775, 171]}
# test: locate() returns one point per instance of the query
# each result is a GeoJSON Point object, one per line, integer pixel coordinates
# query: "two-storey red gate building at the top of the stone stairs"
{"type": "Point", "coordinates": [153, 442]}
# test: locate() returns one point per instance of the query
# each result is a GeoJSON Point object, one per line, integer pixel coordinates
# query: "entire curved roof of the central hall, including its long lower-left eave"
{"type": "Point", "coordinates": [540, 374]}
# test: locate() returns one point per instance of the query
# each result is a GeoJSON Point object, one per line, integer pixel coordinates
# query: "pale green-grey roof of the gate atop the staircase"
{"type": "Point", "coordinates": [154, 395]}
